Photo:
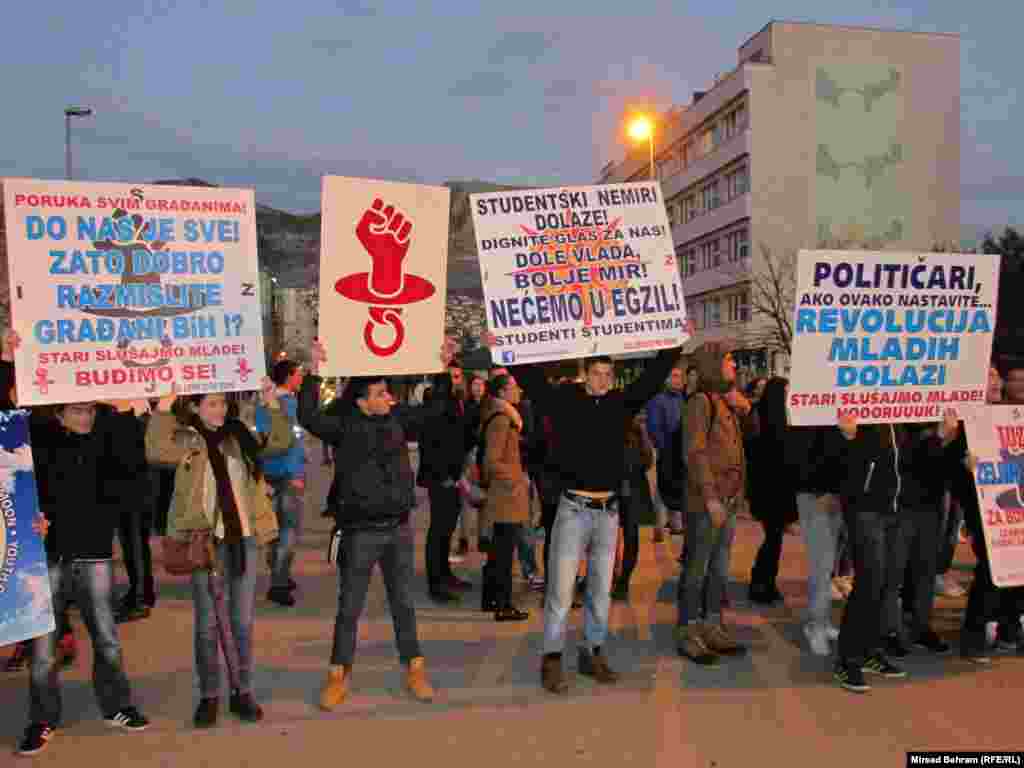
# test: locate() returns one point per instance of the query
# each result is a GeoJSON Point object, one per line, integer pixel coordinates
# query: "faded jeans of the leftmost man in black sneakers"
{"type": "Point", "coordinates": [90, 583]}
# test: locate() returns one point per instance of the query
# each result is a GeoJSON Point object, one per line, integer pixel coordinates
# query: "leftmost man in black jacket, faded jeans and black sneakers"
{"type": "Point", "coordinates": [81, 472]}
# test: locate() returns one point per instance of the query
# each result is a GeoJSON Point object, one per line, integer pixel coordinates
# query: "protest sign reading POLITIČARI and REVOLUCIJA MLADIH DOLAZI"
{"type": "Point", "coordinates": [890, 337]}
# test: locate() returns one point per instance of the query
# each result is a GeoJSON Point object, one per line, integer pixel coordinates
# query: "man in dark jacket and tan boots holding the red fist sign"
{"type": "Point", "coordinates": [376, 497]}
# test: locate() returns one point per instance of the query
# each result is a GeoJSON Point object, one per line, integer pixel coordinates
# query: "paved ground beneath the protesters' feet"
{"type": "Point", "coordinates": [777, 707]}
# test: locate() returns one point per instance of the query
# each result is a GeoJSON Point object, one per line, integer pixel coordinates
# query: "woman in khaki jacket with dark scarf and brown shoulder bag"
{"type": "Point", "coordinates": [218, 487]}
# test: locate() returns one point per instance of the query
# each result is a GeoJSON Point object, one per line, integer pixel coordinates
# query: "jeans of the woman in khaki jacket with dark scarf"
{"type": "Point", "coordinates": [240, 595]}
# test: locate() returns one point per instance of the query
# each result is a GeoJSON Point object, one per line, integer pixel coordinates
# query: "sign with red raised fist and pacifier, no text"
{"type": "Point", "coordinates": [383, 277]}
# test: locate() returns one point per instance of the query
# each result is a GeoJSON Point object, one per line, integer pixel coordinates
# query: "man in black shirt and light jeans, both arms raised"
{"type": "Point", "coordinates": [591, 422]}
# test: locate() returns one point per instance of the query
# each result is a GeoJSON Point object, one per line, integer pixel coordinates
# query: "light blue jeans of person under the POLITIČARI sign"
{"type": "Point", "coordinates": [821, 521]}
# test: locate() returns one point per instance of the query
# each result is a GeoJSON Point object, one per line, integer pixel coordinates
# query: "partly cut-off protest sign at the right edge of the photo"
{"type": "Point", "coordinates": [996, 437]}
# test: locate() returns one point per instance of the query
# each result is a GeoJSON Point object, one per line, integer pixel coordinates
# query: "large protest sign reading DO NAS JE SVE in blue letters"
{"type": "Point", "coordinates": [118, 291]}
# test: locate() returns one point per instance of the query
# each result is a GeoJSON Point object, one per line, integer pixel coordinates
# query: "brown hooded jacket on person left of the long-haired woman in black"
{"type": "Point", "coordinates": [714, 436]}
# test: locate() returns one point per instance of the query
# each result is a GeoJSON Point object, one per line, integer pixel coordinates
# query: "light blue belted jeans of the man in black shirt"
{"type": "Point", "coordinates": [577, 528]}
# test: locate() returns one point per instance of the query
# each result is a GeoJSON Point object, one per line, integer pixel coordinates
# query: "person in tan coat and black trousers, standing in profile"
{"type": "Point", "coordinates": [507, 504]}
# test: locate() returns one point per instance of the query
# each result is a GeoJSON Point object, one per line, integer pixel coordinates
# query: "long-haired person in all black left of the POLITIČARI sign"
{"type": "Point", "coordinates": [774, 494]}
